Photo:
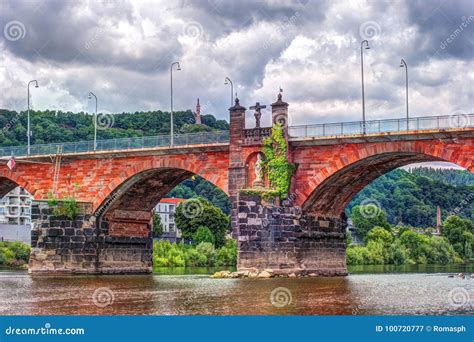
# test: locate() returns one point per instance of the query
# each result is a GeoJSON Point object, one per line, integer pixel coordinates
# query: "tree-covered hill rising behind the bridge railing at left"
{"type": "Point", "coordinates": [56, 126]}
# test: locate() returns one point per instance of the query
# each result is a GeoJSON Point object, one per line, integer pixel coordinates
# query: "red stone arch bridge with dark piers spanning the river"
{"type": "Point", "coordinates": [118, 188]}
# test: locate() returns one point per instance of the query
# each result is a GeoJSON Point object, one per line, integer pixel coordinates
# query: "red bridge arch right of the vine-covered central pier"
{"type": "Point", "coordinates": [353, 167]}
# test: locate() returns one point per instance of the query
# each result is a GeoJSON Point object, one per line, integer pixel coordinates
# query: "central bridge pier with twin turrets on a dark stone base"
{"type": "Point", "coordinates": [281, 237]}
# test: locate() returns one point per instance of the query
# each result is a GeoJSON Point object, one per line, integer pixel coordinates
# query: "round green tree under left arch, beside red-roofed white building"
{"type": "Point", "coordinates": [199, 212]}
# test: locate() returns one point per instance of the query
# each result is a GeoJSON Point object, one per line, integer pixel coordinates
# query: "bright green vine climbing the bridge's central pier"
{"type": "Point", "coordinates": [276, 164]}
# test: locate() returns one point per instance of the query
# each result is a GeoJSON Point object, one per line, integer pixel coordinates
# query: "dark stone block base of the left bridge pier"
{"type": "Point", "coordinates": [60, 245]}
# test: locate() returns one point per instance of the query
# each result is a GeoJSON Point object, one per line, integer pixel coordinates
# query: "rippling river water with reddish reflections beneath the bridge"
{"type": "Point", "coordinates": [376, 290]}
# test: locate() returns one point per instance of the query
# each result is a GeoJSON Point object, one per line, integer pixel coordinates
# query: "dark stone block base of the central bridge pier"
{"type": "Point", "coordinates": [287, 241]}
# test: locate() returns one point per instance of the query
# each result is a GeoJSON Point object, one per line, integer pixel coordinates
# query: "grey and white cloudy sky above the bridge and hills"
{"type": "Point", "coordinates": [122, 51]}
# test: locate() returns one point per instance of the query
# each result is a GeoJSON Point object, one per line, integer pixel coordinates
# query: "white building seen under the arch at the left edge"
{"type": "Point", "coordinates": [15, 216]}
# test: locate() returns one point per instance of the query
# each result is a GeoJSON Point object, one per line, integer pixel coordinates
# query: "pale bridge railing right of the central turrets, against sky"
{"type": "Point", "coordinates": [383, 126]}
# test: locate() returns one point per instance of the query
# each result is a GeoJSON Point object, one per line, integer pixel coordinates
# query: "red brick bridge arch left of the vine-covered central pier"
{"type": "Point", "coordinates": [126, 201]}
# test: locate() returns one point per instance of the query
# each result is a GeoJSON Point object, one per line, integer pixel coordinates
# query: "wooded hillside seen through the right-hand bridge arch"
{"type": "Point", "coordinates": [411, 198]}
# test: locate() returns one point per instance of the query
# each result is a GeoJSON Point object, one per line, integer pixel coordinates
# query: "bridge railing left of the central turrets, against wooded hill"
{"type": "Point", "coordinates": [119, 144]}
